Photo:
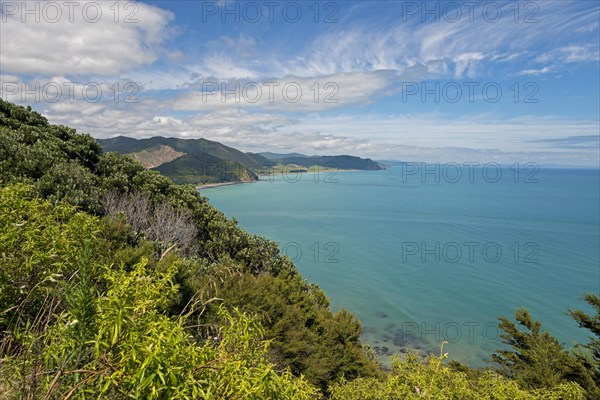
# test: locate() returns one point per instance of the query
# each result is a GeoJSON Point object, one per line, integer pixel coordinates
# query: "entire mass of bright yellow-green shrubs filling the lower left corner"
{"type": "Point", "coordinates": [79, 327]}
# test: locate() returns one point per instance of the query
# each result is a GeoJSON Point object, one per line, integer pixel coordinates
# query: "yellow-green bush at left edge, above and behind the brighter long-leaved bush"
{"type": "Point", "coordinates": [41, 247]}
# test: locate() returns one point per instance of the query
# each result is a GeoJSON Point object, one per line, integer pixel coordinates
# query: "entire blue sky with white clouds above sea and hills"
{"type": "Point", "coordinates": [421, 81]}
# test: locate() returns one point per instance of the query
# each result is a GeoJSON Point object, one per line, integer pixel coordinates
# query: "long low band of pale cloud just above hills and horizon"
{"type": "Point", "coordinates": [424, 137]}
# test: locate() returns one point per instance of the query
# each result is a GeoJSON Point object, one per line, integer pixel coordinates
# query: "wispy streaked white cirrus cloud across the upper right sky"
{"type": "Point", "coordinates": [464, 48]}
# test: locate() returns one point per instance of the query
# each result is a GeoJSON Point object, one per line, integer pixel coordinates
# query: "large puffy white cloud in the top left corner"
{"type": "Point", "coordinates": [72, 43]}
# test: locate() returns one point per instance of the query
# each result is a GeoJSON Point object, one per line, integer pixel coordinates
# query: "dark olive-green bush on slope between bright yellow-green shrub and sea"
{"type": "Point", "coordinates": [306, 337]}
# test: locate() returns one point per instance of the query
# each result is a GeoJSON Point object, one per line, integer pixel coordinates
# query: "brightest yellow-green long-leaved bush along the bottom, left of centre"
{"type": "Point", "coordinates": [131, 349]}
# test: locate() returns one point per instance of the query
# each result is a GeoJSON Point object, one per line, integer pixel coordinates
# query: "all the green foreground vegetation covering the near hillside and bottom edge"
{"type": "Point", "coordinates": [116, 283]}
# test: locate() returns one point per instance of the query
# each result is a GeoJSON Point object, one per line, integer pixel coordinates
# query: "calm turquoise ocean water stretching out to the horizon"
{"type": "Point", "coordinates": [421, 254]}
